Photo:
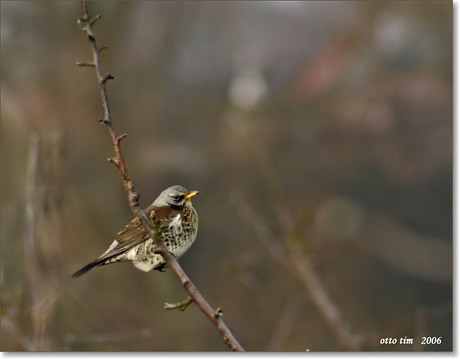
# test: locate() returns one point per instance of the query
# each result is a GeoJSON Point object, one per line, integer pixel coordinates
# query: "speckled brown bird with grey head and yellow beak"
{"type": "Point", "coordinates": [177, 222]}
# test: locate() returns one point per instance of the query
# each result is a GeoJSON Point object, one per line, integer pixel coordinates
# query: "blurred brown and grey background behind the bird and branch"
{"type": "Point", "coordinates": [320, 135]}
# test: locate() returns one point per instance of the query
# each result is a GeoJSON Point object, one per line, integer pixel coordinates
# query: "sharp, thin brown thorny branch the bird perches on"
{"type": "Point", "coordinates": [215, 316]}
